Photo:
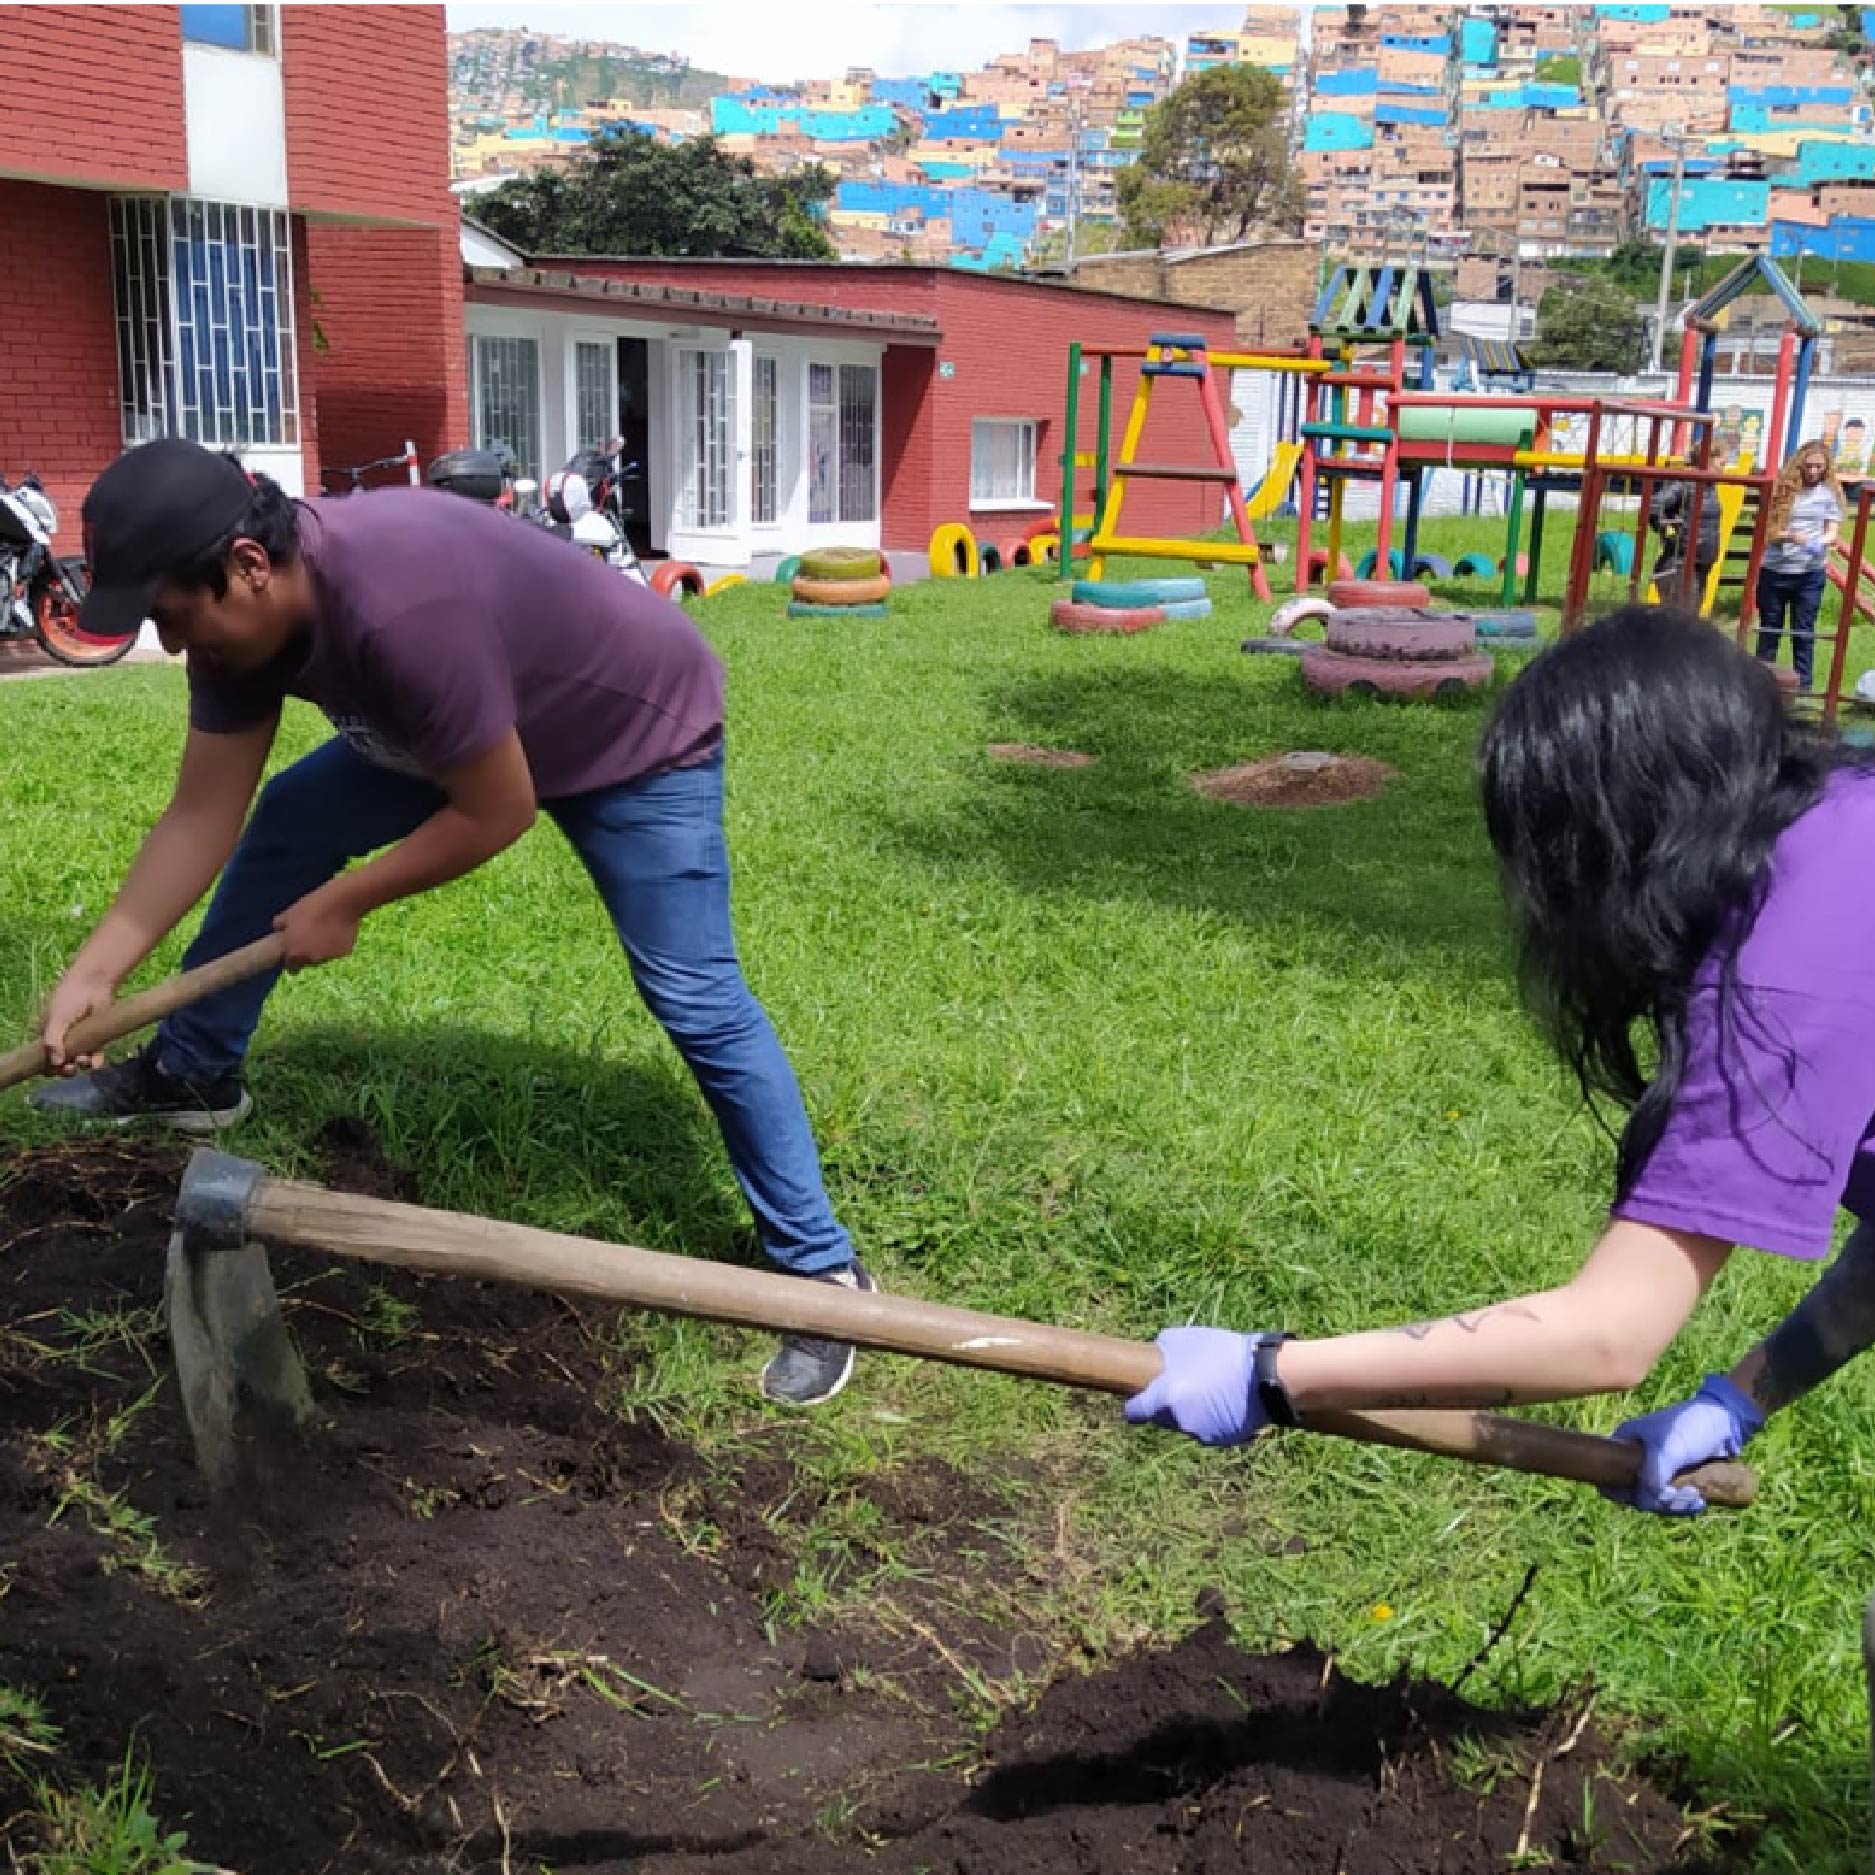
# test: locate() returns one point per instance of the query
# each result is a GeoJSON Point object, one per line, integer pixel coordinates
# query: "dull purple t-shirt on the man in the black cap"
{"type": "Point", "coordinates": [443, 625]}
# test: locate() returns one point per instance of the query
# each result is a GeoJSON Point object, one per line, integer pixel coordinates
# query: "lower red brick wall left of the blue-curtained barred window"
{"type": "Point", "coordinates": [59, 397]}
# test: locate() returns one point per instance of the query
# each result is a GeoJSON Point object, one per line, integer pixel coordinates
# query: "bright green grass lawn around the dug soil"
{"type": "Point", "coordinates": [1087, 1047]}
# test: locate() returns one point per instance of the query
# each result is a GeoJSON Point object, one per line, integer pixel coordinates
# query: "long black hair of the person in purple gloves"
{"type": "Point", "coordinates": [1636, 781]}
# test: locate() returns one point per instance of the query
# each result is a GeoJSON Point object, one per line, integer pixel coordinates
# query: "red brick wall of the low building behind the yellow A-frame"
{"type": "Point", "coordinates": [1010, 346]}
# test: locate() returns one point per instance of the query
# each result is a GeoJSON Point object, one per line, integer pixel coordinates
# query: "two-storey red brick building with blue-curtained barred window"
{"type": "Point", "coordinates": [226, 222]}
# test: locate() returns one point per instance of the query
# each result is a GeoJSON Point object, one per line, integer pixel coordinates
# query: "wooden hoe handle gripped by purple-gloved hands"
{"type": "Point", "coordinates": [447, 1244]}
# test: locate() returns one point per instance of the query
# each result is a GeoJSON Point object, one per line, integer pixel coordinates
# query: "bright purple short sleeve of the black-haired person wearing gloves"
{"type": "Point", "coordinates": [1771, 1115]}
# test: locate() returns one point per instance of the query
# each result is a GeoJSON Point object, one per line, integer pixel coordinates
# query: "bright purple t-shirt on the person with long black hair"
{"type": "Point", "coordinates": [1775, 1126]}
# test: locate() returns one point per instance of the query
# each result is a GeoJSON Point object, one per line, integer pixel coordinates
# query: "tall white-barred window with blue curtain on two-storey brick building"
{"type": "Point", "coordinates": [205, 323]}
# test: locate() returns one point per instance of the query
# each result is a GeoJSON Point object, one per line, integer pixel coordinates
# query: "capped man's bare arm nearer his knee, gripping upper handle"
{"type": "Point", "coordinates": [490, 805]}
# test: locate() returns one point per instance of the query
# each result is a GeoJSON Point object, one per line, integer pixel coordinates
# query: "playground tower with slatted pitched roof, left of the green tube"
{"type": "Point", "coordinates": [1379, 323]}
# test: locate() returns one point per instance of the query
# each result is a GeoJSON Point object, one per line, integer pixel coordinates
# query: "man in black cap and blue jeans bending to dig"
{"type": "Point", "coordinates": [475, 670]}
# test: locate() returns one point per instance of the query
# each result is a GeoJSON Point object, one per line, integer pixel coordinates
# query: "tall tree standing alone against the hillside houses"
{"type": "Point", "coordinates": [1214, 162]}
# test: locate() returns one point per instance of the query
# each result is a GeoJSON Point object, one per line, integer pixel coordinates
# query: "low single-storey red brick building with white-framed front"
{"type": "Point", "coordinates": [785, 404]}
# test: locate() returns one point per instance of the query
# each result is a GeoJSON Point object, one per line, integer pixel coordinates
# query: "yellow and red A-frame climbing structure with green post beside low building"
{"type": "Point", "coordinates": [1167, 355]}
